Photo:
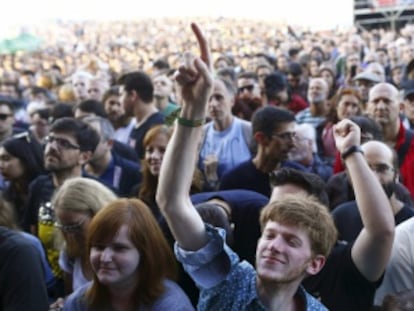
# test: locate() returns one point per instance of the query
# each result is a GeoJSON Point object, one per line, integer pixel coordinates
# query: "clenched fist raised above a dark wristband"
{"type": "Point", "coordinates": [346, 134]}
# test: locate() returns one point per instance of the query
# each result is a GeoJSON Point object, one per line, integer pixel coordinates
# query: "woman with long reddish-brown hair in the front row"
{"type": "Point", "coordinates": [133, 265]}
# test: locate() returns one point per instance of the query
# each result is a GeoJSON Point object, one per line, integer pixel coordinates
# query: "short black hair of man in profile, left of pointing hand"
{"type": "Point", "coordinates": [139, 82]}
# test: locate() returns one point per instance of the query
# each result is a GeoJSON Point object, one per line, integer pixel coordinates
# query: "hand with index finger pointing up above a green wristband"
{"type": "Point", "coordinates": [195, 78]}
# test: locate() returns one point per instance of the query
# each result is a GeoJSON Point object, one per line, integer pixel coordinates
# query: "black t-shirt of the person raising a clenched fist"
{"type": "Point", "coordinates": [339, 285]}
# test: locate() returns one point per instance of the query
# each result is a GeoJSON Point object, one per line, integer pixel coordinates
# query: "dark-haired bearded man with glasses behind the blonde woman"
{"type": "Point", "coordinates": [70, 144]}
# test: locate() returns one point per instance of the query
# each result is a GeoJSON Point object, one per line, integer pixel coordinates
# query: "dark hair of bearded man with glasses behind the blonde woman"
{"type": "Point", "coordinates": [86, 137]}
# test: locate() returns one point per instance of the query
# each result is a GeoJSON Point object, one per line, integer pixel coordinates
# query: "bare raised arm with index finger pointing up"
{"type": "Point", "coordinates": [195, 82]}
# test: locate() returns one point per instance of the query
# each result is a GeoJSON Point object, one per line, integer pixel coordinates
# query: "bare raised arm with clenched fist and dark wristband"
{"type": "Point", "coordinates": [372, 248]}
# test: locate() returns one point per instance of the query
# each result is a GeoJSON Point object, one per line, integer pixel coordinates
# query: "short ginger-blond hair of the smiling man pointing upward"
{"type": "Point", "coordinates": [307, 213]}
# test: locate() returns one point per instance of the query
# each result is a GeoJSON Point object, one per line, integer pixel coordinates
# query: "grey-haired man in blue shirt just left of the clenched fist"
{"type": "Point", "coordinates": [303, 155]}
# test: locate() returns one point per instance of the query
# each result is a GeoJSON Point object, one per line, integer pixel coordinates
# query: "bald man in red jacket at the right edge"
{"type": "Point", "coordinates": [384, 107]}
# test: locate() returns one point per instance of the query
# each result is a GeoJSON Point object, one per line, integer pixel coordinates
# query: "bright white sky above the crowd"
{"type": "Point", "coordinates": [319, 14]}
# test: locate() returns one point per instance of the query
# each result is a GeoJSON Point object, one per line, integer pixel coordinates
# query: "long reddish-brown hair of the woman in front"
{"type": "Point", "coordinates": [157, 262]}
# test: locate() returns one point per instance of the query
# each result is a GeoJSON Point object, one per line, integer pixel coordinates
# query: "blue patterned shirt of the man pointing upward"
{"type": "Point", "coordinates": [226, 283]}
